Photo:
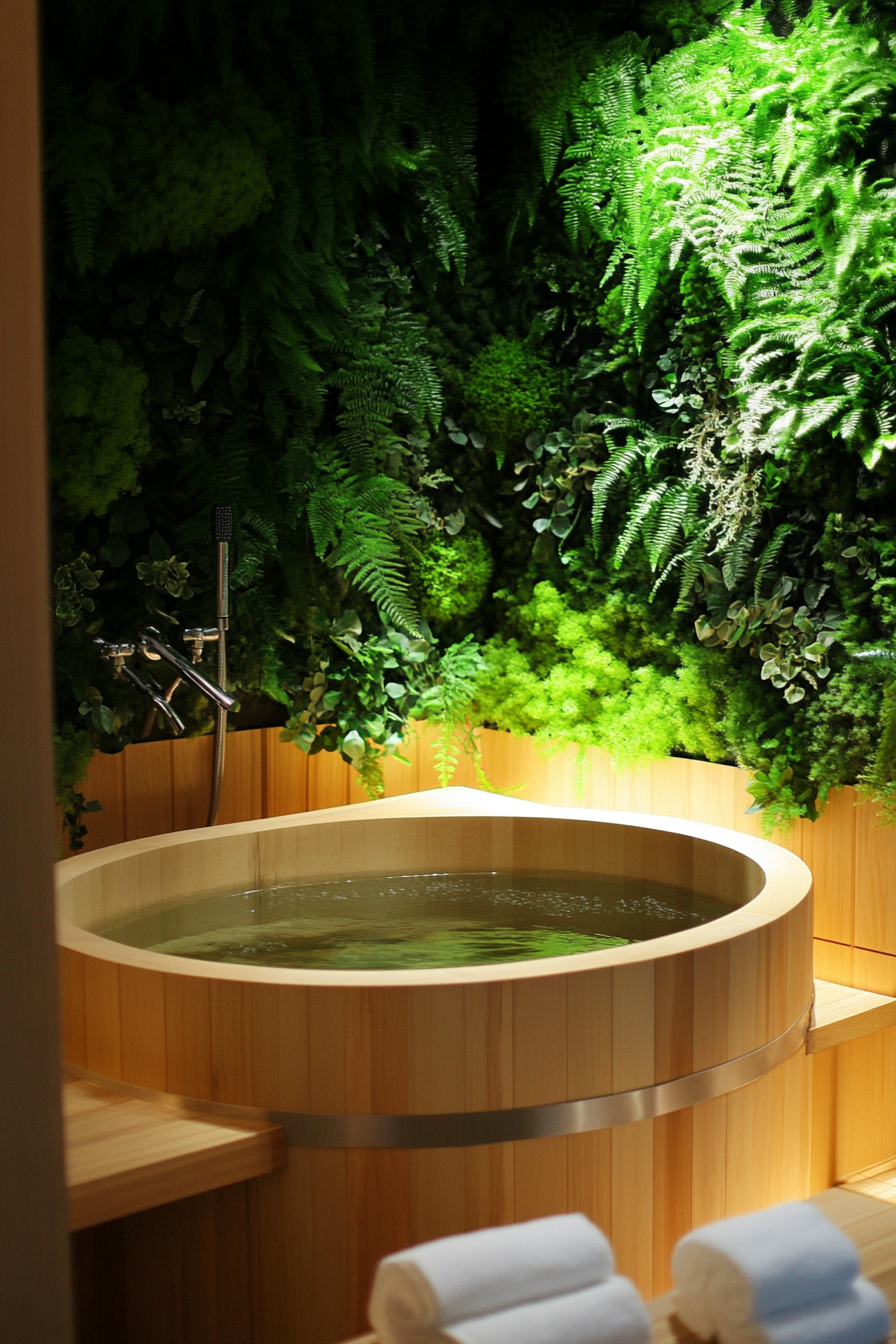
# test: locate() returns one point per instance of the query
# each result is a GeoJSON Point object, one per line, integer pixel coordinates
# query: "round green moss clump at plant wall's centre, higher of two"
{"type": "Point", "coordinates": [512, 392]}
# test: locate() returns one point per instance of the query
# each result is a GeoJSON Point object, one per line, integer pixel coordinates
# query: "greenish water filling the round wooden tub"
{"type": "Point", "coordinates": [422, 921]}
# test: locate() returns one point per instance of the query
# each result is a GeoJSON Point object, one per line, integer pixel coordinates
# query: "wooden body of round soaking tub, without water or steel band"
{"type": "Point", "coordinates": [482, 1038]}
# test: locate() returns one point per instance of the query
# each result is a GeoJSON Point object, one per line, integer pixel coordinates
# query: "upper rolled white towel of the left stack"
{"type": "Point", "coordinates": [433, 1286]}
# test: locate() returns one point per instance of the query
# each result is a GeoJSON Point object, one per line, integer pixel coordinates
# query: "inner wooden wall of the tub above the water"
{"type": "Point", "coordinates": [151, 881]}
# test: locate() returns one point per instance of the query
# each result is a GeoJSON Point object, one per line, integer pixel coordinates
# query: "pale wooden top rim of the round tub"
{"type": "Point", "coordinates": [788, 885]}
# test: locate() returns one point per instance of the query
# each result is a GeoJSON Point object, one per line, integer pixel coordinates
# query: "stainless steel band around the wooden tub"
{"type": "Point", "coordinates": [467, 1130]}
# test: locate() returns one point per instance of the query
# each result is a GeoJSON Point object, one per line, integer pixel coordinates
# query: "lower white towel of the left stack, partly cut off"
{"type": "Point", "coordinates": [609, 1314]}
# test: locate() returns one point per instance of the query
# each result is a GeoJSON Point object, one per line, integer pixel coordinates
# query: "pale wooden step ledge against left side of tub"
{"type": "Point", "coordinates": [126, 1155]}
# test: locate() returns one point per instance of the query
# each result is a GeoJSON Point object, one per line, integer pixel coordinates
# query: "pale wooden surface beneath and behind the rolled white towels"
{"type": "Point", "coordinates": [870, 1222]}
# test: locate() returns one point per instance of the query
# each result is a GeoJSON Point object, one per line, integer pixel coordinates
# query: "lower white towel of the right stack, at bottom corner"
{"type": "Point", "coordinates": [858, 1316]}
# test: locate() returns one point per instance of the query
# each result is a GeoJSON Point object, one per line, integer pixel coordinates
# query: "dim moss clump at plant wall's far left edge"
{"type": "Point", "coordinates": [99, 424]}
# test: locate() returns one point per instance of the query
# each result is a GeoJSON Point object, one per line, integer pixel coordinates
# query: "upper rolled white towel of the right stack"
{"type": "Point", "coordinates": [760, 1265]}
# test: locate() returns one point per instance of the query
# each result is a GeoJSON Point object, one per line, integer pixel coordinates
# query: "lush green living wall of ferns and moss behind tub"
{"type": "Point", "coordinates": [543, 353]}
